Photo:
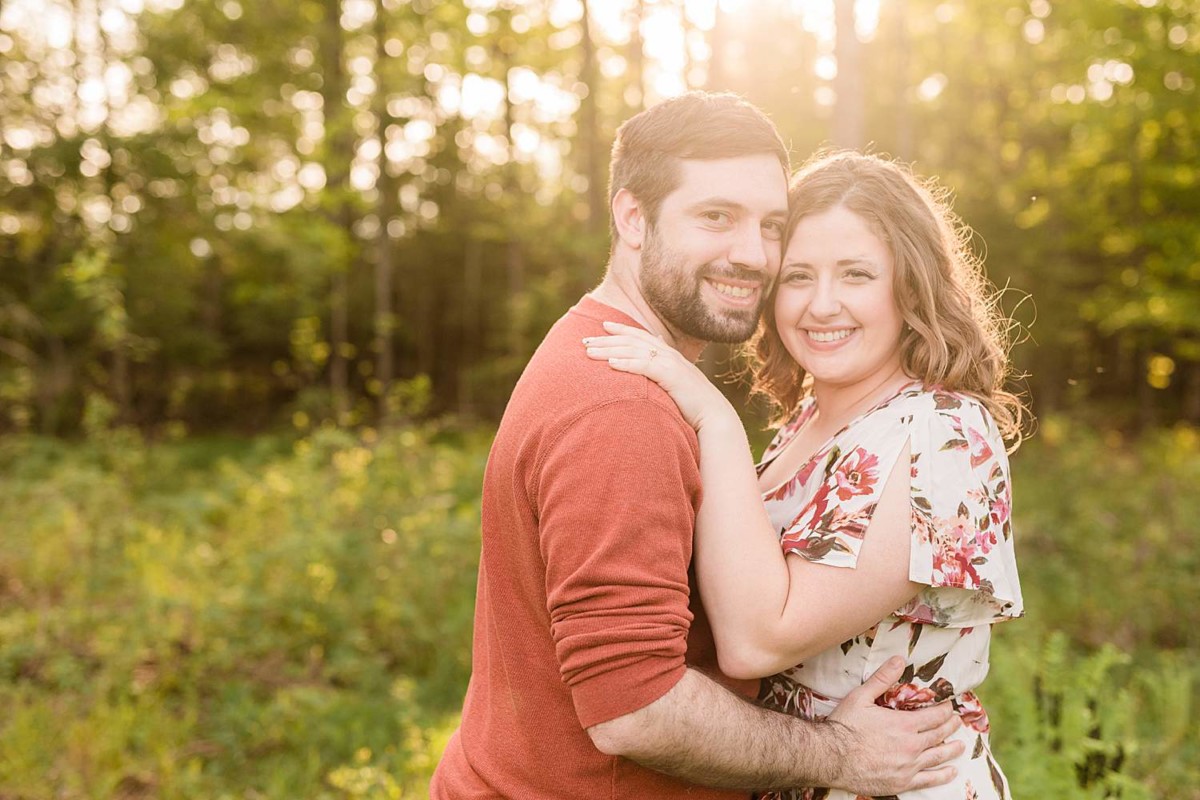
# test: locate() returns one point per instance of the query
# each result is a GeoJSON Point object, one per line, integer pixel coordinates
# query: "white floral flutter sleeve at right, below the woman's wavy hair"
{"type": "Point", "coordinates": [962, 516]}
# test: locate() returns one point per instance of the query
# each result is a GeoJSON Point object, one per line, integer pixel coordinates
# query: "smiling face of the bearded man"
{"type": "Point", "coordinates": [711, 257]}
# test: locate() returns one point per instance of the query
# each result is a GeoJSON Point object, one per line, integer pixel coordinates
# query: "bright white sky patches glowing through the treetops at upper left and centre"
{"type": "Point", "coordinates": [92, 71]}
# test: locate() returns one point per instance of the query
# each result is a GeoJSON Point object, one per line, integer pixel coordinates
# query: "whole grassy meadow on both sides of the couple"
{"type": "Point", "coordinates": [283, 618]}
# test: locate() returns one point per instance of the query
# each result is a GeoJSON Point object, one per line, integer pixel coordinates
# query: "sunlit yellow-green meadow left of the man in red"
{"type": "Point", "coordinates": [208, 618]}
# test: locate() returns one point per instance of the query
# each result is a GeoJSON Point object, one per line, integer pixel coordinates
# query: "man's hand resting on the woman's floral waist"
{"type": "Point", "coordinates": [889, 753]}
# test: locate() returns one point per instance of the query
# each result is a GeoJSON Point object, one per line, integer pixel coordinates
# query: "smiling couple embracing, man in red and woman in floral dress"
{"type": "Point", "coordinates": [659, 617]}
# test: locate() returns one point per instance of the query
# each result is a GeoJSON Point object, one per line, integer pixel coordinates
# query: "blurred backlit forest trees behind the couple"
{"type": "Point", "coordinates": [182, 248]}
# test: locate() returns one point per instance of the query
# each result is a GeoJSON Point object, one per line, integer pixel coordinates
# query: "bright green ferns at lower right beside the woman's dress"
{"type": "Point", "coordinates": [1079, 727]}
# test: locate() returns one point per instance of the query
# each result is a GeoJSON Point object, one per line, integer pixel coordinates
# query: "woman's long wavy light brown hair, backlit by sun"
{"type": "Point", "coordinates": [956, 335]}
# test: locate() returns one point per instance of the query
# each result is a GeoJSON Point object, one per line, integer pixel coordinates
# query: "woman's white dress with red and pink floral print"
{"type": "Point", "coordinates": [962, 552]}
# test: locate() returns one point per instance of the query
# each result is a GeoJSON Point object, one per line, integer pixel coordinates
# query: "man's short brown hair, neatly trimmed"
{"type": "Point", "coordinates": [698, 125]}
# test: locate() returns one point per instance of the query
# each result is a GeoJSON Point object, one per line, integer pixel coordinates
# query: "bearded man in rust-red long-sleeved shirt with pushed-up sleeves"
{"type": "Point", "coordinates": [591, 649]}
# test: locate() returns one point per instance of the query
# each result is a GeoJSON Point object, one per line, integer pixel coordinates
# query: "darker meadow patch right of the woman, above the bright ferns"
{"type": "Point", "coordinates": [1108, 536]}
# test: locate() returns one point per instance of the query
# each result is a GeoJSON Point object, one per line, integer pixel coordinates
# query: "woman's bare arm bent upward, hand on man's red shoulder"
{"type": "Point", "coordinates": [770, 612]}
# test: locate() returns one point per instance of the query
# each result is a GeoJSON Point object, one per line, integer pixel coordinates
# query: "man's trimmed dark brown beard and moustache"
{"type": "Point", "coordinates": [674, 291]}
